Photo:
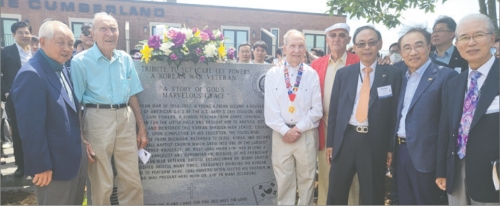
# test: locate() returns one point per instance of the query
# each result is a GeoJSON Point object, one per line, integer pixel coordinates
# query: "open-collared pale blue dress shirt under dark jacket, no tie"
{"type": "Point", "coordinates": [411, 86]}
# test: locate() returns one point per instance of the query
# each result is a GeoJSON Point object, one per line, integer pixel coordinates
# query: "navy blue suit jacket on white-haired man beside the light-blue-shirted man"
{"type": "Point", "coordinates": [47, 120]}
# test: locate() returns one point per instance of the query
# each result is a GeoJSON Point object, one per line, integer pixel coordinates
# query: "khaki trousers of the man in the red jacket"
{"type": "Point", "coordinates": [323, 179]}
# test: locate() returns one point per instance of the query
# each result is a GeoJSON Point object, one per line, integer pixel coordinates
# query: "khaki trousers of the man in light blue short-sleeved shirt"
{"type": "Point", "coordinates": [113, 132]}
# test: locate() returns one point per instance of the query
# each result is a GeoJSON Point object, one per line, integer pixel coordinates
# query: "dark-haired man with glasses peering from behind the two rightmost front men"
{"type": "Point", "coordinates": [443, 33]}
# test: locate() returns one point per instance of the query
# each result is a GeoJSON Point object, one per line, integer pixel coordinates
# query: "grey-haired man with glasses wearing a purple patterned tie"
{"type": "Point", "coordinates": [469, 134]}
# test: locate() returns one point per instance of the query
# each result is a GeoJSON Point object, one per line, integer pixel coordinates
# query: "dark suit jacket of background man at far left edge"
{"type": "Point", "coordinates": [11, 63]}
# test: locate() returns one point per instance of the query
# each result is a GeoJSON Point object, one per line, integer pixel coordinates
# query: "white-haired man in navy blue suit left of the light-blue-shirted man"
{"type": "Point", "coordinates": [47, 117]}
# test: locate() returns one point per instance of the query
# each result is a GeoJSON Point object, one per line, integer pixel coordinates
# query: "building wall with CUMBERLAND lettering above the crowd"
{"type": "Point", "coordinates": [136, 13]}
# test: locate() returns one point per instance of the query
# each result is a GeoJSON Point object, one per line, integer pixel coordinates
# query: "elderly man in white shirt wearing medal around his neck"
{"type": "Point", "coordinates": [293, 109]}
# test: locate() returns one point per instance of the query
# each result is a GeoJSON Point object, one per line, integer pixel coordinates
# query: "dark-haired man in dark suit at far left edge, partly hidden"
{"type": "Point", "coordinates": [13, 57]}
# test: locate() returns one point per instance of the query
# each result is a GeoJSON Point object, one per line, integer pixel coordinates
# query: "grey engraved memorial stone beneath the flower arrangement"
{"type": "Point", "coordinates": [208, 139]}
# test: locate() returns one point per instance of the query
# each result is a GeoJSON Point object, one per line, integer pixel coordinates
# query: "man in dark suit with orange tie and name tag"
{"type": "Point", "coordinates": [361, 120]}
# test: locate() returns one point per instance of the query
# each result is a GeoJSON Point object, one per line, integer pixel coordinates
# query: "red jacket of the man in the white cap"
{"type": "Point", "coordinates": [321, 65]}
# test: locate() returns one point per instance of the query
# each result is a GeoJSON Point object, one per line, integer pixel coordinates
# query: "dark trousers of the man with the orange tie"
{"type": "Point", "coordinates": [356, 155]}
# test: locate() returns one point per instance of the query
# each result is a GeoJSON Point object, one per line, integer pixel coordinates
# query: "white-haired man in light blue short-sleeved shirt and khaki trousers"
{"type": "Point", "coordinates": [106, 82]}
